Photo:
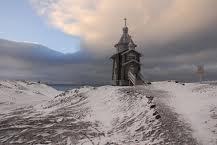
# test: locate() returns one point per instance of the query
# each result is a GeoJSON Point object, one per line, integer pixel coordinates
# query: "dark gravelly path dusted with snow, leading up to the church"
{"type": "Point", "coordinates": [178, 131]}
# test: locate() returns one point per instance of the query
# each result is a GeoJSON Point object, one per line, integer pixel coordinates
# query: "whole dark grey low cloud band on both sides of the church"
{"type": "Point", "coordinates": [175, 61]}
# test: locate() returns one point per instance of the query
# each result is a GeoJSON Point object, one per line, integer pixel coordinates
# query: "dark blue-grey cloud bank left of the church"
{"type": "Point", "coordinates": [36, 62]}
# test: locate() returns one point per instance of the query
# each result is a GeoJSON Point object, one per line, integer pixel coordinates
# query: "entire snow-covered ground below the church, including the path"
{"type": "Point", "coordinates": [161, 113]}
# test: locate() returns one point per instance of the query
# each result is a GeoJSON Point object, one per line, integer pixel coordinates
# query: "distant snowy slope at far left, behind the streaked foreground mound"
{"type": "Point", "coordinates": [15, 94]}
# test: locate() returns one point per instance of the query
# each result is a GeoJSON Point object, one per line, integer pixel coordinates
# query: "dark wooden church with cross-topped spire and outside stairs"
{"type": "Point", "coordinates": [126, 62]}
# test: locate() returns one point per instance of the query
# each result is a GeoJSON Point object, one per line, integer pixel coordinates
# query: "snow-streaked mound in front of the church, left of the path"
{"type": "Point", "coordinates": [102, 116]}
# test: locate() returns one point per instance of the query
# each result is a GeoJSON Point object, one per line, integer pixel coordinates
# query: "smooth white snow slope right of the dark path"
{"type": "Point", "coordinates": [196, 104]}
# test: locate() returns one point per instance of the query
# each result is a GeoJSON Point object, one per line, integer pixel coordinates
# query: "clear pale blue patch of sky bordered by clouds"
{"type": "Point", "coordinates": [20, 22]}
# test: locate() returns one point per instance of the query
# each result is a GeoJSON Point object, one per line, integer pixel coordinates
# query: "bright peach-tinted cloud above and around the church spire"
{"type": "Point", "coordinates": [98, 22]}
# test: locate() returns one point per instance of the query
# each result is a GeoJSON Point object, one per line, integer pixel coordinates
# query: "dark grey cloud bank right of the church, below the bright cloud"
{"type": "Point", "coordinates": [178, 59]}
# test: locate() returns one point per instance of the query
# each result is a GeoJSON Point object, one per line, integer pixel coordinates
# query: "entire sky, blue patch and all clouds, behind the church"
{"type": "Point", "coordinates": [174, 37]}
